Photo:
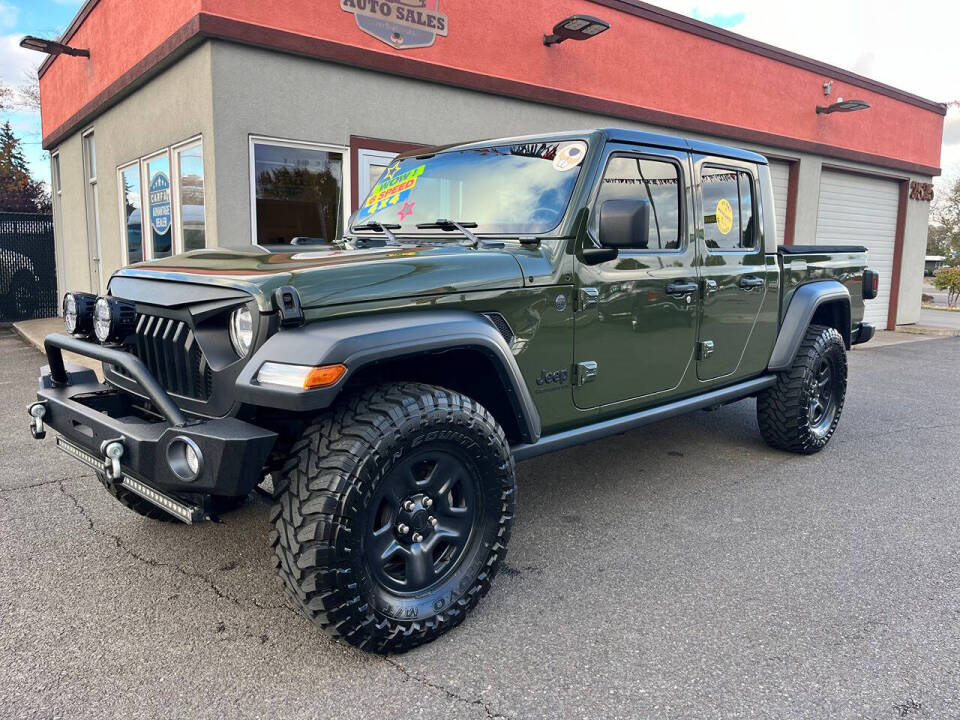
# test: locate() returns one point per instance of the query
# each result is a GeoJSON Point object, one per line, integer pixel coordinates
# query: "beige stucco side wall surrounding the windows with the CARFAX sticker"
{"type": "Point", "coordinates": [175, 106]}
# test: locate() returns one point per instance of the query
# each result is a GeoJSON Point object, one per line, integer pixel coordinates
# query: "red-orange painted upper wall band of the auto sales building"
{"type": "Point", "coordinates": [637, 62]}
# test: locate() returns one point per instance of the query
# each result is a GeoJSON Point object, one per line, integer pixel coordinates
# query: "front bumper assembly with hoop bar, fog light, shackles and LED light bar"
{"type": "Point", "coordinates": [171, 460]}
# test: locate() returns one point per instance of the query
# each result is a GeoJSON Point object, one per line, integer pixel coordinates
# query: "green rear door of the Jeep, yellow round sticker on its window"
{"type": "Point", "coordinates": [733, 267]}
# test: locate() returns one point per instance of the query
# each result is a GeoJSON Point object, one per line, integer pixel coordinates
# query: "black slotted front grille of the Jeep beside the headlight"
{"type": "Point", "coordinates": [170, 351]}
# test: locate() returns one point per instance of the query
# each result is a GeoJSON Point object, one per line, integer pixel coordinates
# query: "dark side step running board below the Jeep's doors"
{"type": "Point", "coordinates": [615, 426]}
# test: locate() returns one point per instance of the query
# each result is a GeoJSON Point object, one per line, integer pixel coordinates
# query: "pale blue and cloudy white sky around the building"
{"type": "Point", "coordinates": [911, 47]}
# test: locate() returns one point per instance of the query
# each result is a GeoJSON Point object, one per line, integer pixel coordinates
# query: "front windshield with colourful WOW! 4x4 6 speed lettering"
{"type": "Point", "coordinates": [507, 189]}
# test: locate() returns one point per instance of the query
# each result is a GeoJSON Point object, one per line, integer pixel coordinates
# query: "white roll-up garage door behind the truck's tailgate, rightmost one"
{"type": "Point", "coordinates": [860, 210]}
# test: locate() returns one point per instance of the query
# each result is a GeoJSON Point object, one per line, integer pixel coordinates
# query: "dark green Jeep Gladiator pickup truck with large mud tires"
{"type": "Point", "coordinates": [487, 303]}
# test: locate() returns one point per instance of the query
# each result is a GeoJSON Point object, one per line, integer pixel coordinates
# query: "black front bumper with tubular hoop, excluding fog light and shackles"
{"type": "Point", "coordinates": [90, 414]}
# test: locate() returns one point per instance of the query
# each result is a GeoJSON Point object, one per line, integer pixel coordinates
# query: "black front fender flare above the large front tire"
{"type": "Point", "coordinates": [359, 341]}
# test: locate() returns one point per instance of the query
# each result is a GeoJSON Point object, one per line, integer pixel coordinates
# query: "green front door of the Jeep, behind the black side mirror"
{"type": "Point", "coordinates": [637, 317]}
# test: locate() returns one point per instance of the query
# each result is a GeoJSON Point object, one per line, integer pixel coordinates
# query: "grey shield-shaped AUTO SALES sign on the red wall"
{"type": "Point", "coordinates": [401, 24]}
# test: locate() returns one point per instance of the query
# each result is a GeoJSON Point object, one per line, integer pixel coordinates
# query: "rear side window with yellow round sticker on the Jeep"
{"type": "Point", "coordinates": [728, 217]}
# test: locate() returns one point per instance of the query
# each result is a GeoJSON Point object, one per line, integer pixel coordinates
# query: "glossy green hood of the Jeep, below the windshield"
{"type": "Point", "coordinates": [334, 276]}
